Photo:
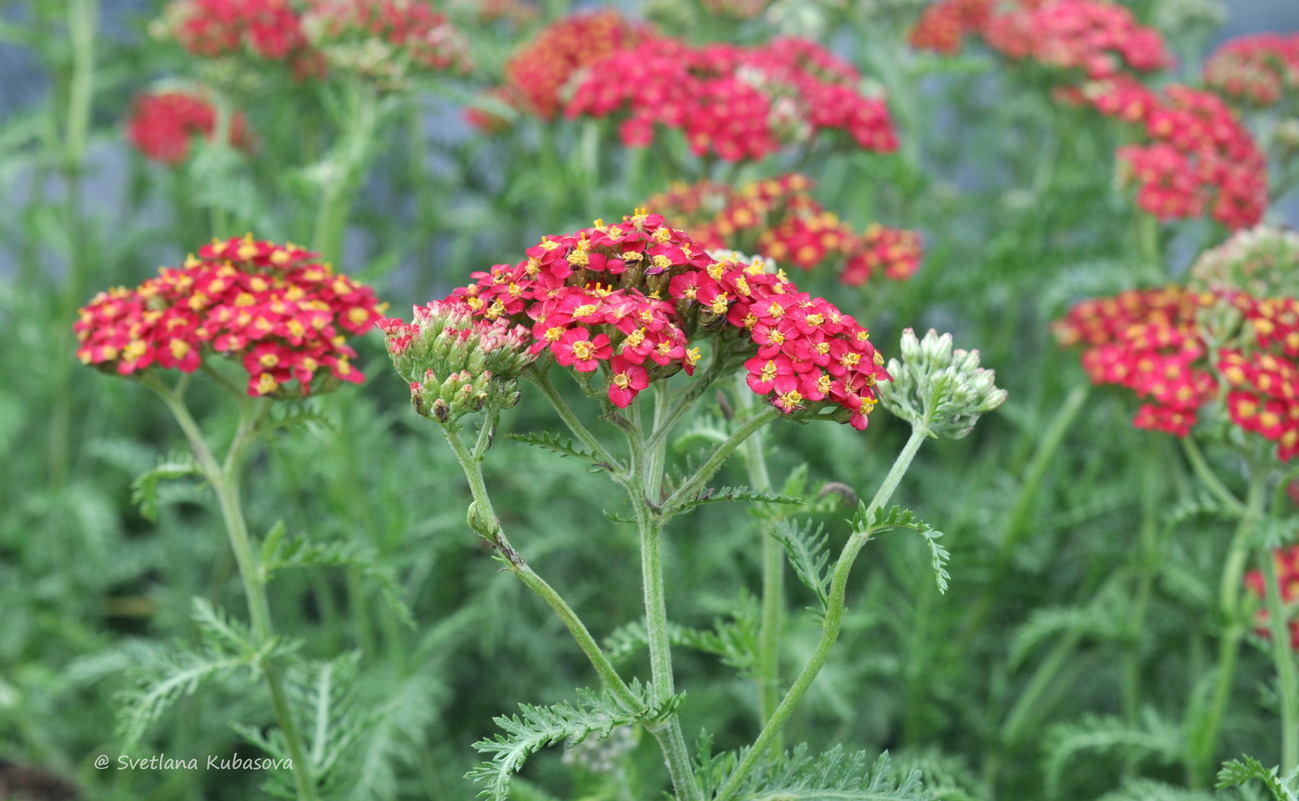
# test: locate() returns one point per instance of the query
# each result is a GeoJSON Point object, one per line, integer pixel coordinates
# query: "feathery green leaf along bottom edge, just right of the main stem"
{"type": "Point", "coordinates": [797, 776]}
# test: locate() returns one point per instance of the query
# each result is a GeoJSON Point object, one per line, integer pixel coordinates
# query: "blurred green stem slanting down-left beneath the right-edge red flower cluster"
{"type": "Point", "coordinates": [1205, 734]}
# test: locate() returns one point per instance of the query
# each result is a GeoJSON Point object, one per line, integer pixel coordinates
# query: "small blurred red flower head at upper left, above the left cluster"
{"type": "Point", "coordinates": [164, 124]}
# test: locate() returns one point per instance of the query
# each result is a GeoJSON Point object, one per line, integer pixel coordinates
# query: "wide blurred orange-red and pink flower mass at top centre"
{"type": "Point", "coordinates": [738, 103]}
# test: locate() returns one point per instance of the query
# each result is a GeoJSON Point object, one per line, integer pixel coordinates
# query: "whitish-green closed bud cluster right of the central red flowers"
{"type": "Point", "coordinates": [940, 388]}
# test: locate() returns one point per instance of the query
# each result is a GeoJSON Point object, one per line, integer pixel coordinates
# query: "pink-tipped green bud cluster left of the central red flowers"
{"type": "Point", "coordinates": [458, 364]}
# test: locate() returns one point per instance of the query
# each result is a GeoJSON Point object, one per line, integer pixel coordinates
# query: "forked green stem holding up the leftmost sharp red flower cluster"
{"type": "Point", "coordinates": [225, 481]}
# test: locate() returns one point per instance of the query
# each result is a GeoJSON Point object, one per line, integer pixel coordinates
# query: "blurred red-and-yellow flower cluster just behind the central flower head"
{"type": "Point", "coordinates": [780, 220]}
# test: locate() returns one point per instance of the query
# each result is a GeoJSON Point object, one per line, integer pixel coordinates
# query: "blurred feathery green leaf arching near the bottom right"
{"type": "Point", "coordinates": [1154, 737]}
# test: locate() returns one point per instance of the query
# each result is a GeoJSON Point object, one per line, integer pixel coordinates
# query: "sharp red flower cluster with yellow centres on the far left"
{"type": "Point", "coordinates": [273, 310]}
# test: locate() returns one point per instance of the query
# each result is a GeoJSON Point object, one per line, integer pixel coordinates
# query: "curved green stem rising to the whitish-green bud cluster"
{"type": "Point", "coordinates": [829, 628]}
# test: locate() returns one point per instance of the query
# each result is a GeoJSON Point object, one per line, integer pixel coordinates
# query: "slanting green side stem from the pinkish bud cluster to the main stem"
{"type": "Point", "coordinates": [484, 520]}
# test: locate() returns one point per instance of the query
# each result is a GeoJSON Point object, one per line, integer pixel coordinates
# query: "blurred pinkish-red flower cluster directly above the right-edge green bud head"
{"type": "Point", "coordinates": [1198, 154]}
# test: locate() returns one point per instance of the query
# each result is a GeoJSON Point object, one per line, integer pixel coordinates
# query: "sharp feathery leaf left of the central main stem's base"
{"type": "Point", "coordinates": [536, 728]}
